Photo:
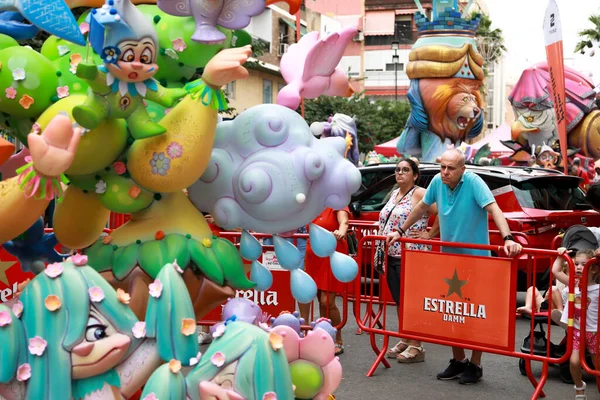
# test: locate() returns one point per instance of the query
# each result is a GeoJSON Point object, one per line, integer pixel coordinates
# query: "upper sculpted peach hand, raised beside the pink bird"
{"type": "Point", "coordinates": [226, 66]}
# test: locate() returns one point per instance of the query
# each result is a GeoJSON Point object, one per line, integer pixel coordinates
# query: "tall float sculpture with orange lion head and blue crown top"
{"type": "Point", "coordinates": [446, 73]}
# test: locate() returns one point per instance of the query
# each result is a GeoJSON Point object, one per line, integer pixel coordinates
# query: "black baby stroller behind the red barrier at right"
{"type": "Point", "coordinates": [576, 238]}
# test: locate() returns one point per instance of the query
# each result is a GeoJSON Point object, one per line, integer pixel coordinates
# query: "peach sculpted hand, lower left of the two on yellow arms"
{"type": "Point", "coordinates": [53, 151]}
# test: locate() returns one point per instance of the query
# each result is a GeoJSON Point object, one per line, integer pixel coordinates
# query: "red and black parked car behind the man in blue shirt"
{"type": "Point", "coordinates": [538, 203]}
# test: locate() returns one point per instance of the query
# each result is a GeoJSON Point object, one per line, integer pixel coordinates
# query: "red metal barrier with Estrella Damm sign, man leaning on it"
{"type": "Point", "coordinates": [427, 310]}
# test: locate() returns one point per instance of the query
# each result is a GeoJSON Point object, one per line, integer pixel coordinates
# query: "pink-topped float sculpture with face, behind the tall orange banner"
{"type": "Point", "coordinates": [534, 126]}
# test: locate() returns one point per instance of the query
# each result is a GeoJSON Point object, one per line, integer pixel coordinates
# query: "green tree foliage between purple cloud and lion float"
{"type": "Point", "coordinates": [377, 121]}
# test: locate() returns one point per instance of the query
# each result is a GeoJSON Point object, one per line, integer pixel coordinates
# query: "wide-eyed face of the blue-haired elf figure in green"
{"type": "Point", "coordinates": [135, 61]}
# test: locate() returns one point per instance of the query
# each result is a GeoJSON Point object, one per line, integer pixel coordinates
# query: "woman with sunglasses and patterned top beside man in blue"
{"type": "Point", "coordinates": [392, 216]}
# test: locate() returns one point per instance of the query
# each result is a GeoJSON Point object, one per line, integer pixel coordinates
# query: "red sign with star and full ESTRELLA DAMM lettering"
{"type": "Point", "coordinates": [461, 298]}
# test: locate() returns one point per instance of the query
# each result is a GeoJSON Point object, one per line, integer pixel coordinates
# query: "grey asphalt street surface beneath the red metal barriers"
{"type": "Point", "coordinates": [501, 380]}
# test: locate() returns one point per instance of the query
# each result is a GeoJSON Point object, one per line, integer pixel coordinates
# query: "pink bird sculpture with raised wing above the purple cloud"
{"type": "Point", "coordinates": [309, 68]}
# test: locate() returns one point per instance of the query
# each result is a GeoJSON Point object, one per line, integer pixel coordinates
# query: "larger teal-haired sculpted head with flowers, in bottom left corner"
{"type": "Point", "coordinates": [71, 335]}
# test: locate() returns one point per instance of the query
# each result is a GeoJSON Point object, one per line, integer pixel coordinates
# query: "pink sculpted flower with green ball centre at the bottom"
{"type": "Point", "coordinates": [316, 349]}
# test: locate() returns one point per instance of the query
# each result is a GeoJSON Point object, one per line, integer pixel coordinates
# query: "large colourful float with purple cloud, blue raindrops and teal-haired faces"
{"type": "Point", "coordinates": [99, 324]}
